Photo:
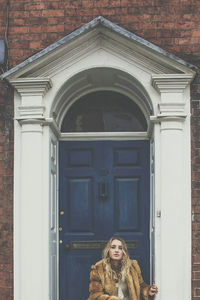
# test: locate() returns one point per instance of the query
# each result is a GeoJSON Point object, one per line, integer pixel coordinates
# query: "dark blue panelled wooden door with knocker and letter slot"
{"type": "Point", "coordinates": [103, 191]}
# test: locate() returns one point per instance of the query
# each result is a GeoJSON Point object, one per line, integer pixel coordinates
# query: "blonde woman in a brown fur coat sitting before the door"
{"type": "Point", "coordinates": [117, 277]}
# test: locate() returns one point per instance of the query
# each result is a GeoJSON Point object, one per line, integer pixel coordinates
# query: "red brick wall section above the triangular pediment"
{"type": "Point", "coordinates": [172, 24]}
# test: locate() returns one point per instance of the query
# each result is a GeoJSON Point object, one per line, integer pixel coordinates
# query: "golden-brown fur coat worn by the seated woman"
{"type": "Point", "coordinates": [104, 288]}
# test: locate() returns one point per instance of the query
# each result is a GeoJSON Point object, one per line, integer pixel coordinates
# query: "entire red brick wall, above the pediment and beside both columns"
{"type": "Point", "coordinates": [174, 25]}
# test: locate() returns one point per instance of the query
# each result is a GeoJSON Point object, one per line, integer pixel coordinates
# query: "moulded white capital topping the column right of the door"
{"type": "Point", "coordinates": [171, 83]}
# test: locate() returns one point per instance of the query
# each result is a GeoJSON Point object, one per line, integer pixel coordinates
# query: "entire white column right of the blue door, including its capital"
{"type": "Point", "coordinates": [175, 182]}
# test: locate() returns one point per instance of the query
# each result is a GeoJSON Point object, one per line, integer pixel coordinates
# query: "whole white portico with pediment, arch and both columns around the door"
{"type": "Point", "coordinates": [45, 87]}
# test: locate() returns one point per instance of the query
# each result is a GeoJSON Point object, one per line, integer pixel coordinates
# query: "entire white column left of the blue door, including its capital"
{"type": "Point", "coordinates": [31, 213]}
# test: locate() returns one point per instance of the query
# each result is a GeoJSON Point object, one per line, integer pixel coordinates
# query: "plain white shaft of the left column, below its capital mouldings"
{"type": "Point", "coordinates": [31, 212]}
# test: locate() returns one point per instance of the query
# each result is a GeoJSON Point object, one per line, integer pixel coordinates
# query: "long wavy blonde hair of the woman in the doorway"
{"type": "Point", "coordinates": [121, 272]}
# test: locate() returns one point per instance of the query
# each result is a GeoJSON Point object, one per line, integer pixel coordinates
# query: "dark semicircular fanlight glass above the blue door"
{"type": "Point", "coordinates": [104, 111]}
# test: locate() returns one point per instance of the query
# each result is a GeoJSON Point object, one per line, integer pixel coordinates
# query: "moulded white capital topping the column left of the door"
{"type": "Point", "coordinates": [31, 86]}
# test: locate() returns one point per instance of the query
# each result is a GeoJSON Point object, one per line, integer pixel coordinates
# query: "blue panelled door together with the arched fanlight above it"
{"type": "Point", "coordinates": [104, 187]}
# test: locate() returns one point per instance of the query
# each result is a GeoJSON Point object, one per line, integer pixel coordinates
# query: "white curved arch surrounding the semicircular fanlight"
{"type": "Point", "coordinates": [100, 79]}
